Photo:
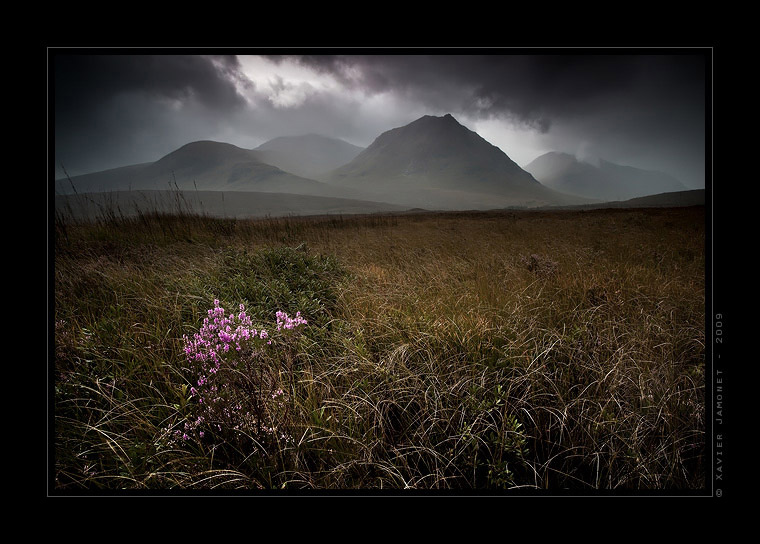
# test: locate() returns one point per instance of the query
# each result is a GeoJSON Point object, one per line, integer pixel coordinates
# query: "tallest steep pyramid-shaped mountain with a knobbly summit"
{"type": "Point", "coordinates": [435, 162]}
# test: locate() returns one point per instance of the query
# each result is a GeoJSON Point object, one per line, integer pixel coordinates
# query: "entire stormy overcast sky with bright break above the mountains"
{"type": "Point", "coordinates": [645, 110]}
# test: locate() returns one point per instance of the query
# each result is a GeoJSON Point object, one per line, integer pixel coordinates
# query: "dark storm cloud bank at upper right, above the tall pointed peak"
{"type": "Point", "coordinates": [534, 89]}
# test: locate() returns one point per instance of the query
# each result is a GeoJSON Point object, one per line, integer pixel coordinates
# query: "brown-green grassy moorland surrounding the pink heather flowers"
{"type": "Point", "coordinates": [527, 350]}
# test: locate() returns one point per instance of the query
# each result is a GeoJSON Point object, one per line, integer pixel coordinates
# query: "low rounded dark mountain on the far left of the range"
{"type": "Point", "coordinates": [203, 165]}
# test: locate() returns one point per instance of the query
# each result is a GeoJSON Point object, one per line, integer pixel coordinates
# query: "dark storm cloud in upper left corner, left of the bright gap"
{"type": "Point", "coordinates": [118, 109]}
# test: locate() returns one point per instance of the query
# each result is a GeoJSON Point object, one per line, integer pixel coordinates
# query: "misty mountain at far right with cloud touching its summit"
{"type": "Point", "coordinates": [607, 181]}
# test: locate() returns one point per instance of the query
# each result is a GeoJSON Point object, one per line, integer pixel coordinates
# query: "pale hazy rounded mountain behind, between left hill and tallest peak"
{"type": "Point", "coordinates": [309, 156]}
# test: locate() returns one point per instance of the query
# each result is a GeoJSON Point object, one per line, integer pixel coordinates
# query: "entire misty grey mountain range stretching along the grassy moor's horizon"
{"type": "Point", "coordinates": [433, 163]}
